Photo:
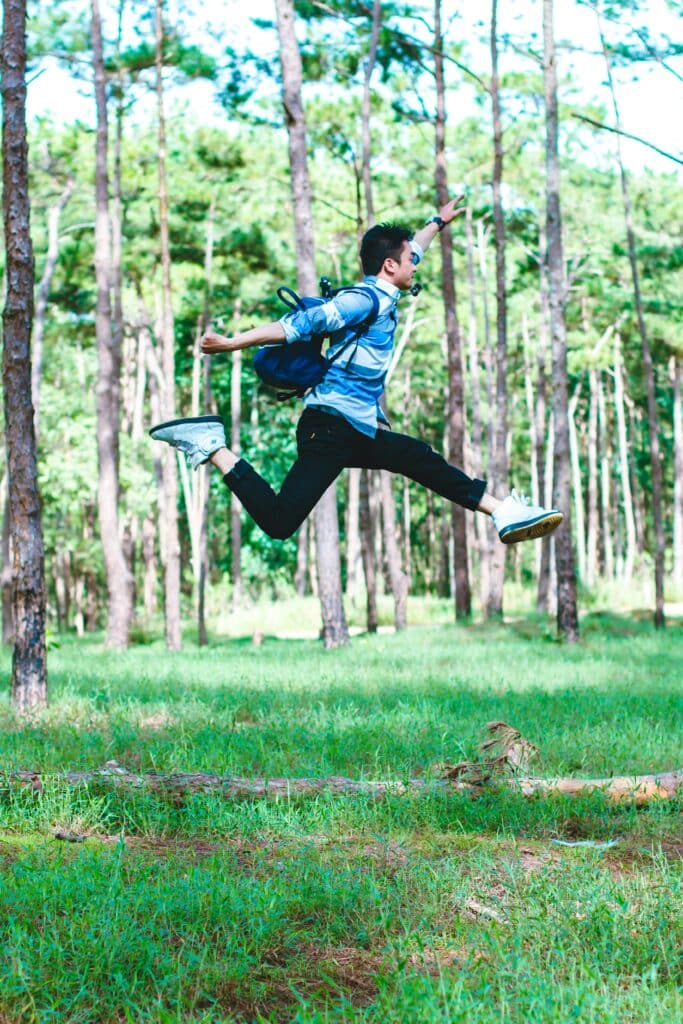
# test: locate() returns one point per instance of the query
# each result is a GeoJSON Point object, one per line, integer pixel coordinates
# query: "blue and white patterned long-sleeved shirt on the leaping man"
{"type": "Point", "coordinates": [354, 386]}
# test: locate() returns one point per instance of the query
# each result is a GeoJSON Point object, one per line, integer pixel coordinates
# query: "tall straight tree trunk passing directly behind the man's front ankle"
{"type": "Point", "coordinates": [499, 468]}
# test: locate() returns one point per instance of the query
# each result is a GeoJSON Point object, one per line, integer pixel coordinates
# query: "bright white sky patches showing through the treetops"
{"type": "Point", "coordinates": [649, 94]}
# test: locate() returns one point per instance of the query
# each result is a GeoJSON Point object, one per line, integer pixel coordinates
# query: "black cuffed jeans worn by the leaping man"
{"type": "Point", "coordinates": [328, 444]}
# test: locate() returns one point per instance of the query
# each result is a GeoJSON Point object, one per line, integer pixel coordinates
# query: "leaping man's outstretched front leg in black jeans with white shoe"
{"type": "Point", "coordinates": [514, 518]}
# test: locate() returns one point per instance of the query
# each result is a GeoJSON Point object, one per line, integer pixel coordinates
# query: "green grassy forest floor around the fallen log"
{"type": "Point", "coordinates": [409, 909]}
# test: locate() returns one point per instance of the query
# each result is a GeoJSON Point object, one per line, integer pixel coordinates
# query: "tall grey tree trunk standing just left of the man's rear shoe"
{"type": "Point", "coordinates": [119, 579]}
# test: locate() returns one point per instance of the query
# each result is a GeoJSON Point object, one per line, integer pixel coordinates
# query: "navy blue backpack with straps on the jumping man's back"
{"type": "Point", "coordinates": [296, 367]}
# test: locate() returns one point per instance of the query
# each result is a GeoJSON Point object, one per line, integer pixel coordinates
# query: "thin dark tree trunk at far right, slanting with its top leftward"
{"type": "Point", "coordinates": [656, 457]}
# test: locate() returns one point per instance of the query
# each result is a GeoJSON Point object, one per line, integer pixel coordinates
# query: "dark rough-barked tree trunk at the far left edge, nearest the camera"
{"type": "Point", "coordinates": [29, 678]}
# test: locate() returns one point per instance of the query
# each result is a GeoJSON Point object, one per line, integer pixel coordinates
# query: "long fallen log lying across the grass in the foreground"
{"type": "Point", "coordinates": [634, 789]}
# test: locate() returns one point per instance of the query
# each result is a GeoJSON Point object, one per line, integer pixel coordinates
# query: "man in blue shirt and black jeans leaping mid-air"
{"type": "Point", "coordinates": [343, 424]}
